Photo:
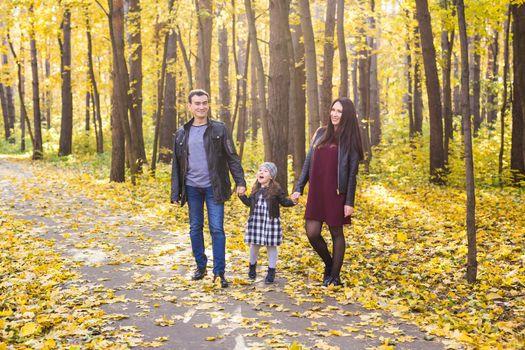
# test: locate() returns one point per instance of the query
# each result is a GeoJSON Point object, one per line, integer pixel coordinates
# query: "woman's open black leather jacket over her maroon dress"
{"type": "Point", "coordinates": [348, 165]}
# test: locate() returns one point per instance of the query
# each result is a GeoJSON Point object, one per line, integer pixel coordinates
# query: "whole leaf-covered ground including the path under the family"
{"type": "Point", "coordinates": [94, 264]}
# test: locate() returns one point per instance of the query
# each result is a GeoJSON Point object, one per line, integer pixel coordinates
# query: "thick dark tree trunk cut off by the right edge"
{"type": "Point", "coordinates": [517, 163]}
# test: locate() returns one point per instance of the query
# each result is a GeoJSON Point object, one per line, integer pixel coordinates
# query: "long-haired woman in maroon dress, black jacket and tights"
{"type": "Point", "coordinates": [331, 168]}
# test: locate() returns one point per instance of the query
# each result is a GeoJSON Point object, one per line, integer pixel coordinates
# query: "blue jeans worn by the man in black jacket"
{"type": "Point", "coordinates": [196, 198]}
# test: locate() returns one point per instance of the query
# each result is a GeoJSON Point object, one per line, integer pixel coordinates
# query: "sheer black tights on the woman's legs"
{"type": "Point", "coordinates": [335, 262]}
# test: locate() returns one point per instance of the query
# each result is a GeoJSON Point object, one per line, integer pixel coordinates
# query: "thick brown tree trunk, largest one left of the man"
{"type": "Point", "coordinates": [121, 100]}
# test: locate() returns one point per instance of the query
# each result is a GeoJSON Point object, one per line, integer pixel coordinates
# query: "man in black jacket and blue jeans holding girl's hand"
{"type": "Point", "coordinates": [203, 153]}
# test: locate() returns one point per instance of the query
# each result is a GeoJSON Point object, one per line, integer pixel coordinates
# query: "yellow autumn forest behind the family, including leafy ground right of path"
{"type": "Point", "coordinates": [439, 85]}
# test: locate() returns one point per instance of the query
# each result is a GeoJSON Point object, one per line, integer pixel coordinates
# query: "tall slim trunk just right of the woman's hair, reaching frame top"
{"type": "Point", "coordinates": [375, 109]}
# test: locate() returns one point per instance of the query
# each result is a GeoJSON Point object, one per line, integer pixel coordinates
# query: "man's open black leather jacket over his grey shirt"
{"type": "Point", "coordinates": [221, 156]}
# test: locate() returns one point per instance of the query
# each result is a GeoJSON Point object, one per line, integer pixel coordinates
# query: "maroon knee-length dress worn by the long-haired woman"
{"type": "Point", "coordinates": [323, 203]}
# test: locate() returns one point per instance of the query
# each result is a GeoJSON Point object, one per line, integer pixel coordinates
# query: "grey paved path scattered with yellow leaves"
{"type": "Point", "coordinates": [148, 269]}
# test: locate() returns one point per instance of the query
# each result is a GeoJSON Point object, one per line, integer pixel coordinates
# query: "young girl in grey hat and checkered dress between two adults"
{"type": "Point", "coordinates": [264, 225]}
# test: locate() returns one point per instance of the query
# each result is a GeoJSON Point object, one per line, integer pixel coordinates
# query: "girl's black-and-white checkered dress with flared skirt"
{"type": "Point", "coordinates": [262, 230]}
